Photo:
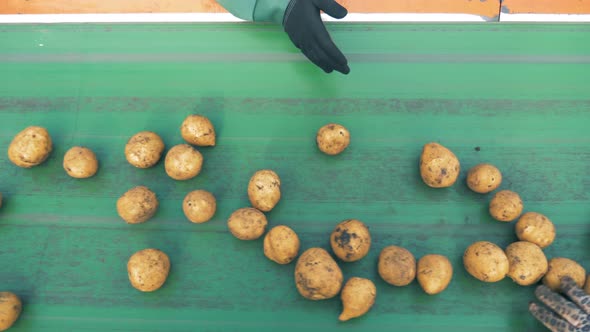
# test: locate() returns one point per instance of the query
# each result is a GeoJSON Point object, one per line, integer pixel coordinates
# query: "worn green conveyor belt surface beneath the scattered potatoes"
{"type": "Point", "coordinates": [519, 92]}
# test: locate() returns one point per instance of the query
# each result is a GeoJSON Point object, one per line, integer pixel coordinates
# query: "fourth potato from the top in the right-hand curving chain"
{"type": "Point", "coordinates": [535, 228]}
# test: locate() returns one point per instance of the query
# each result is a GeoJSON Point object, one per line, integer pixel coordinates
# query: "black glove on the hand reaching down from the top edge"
{"type": "Point", "coordinates": [304, 26]}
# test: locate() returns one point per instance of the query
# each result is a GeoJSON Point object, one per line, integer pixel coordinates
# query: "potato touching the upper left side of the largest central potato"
{"type": "Point", "coordinates": [281, 244]}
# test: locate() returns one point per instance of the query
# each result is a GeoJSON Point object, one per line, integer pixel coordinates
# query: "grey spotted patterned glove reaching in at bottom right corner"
{"type": "Point", "coordinates": [565, 315]}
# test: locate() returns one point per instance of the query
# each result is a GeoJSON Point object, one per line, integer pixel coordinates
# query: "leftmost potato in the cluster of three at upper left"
{"type": "Point", "coordinates": [144, 149]}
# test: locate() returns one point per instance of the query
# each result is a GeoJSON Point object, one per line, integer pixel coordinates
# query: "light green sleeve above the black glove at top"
{"type": "Point", "coordinates": [257, 10]}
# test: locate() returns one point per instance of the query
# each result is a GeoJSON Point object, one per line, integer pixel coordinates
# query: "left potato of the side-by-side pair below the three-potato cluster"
{"type": "Point", "coordinates": [137, 205]}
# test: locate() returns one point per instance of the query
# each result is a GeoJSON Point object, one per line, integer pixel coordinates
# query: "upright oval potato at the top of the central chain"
{"type": "Point", "coordinates": [264, 190]}
